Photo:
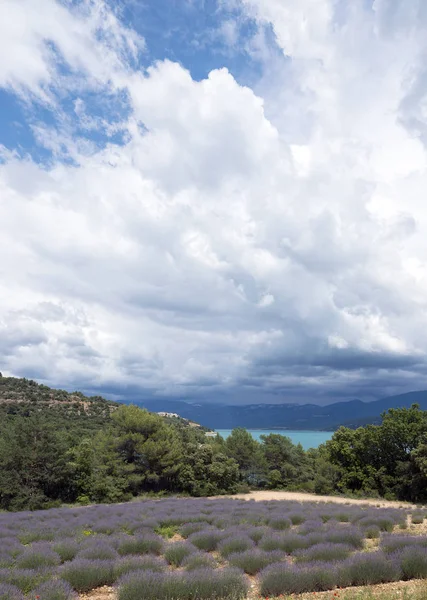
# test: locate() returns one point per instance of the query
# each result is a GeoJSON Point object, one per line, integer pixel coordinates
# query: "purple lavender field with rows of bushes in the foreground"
{"type": "Point", "coordinates": [188, 549]}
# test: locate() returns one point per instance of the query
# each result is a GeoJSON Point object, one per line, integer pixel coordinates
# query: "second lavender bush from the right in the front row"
{"type": "Point", "coordinates": [369, 569]}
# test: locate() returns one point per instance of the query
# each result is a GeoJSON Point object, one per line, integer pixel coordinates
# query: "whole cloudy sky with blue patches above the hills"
{"type": "Point", "coordinates": [214, 200]}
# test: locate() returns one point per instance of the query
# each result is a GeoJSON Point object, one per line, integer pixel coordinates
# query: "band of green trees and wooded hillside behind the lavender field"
{"type": "Point", "coordinates": [60, 448]}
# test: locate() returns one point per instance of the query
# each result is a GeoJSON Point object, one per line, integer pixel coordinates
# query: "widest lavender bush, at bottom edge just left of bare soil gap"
{"type": "Point", "coordinates": [202, 584]}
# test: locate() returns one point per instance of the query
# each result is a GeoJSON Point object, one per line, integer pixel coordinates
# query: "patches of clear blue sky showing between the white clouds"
{"type": "Point", "coordinates": [200, 36]}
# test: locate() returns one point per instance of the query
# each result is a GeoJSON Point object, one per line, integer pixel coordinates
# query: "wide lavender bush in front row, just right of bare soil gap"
{"type": "Point", "coordinates": [295, 579]}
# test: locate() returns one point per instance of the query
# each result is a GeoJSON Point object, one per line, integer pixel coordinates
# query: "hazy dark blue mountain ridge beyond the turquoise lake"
{"type": "Point", "coordinates": [354, 413]}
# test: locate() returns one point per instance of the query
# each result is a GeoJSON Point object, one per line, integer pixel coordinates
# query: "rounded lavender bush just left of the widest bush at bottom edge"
{"type": "Point", "coordinates": [85, 575]}
